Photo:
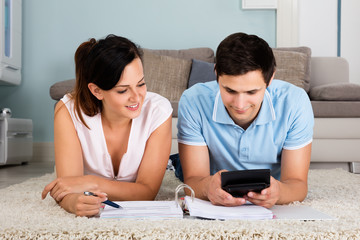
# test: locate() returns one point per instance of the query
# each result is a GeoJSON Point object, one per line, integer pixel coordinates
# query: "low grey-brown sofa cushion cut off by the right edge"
{"type": "Point", "coordinates": [336, 92]}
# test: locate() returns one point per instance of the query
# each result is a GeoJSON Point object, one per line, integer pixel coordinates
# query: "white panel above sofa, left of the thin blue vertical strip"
{"type": "Point", "coordinates": [318, 26]}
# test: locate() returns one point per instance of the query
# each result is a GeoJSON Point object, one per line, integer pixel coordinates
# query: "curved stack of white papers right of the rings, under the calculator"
{"type": "Point", "coordinates": [205, 209]}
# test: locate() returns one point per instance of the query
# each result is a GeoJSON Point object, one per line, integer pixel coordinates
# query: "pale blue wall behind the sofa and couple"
{"type": "Point", "coordinates": [53, 29]}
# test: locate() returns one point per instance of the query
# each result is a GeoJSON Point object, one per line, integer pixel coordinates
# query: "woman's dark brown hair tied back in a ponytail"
{"type": "Point", "coordinates": [102, 63]}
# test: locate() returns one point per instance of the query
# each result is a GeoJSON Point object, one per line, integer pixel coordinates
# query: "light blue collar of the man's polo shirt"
{"type": "Point", "coordinates": [266, 114]}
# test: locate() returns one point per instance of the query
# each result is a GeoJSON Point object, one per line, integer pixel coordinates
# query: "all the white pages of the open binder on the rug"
{"type": "Point", "coordinates": [198, 208]}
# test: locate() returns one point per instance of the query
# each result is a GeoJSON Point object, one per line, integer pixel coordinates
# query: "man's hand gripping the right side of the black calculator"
{"type": "Point", "coordinates": [268, 197]}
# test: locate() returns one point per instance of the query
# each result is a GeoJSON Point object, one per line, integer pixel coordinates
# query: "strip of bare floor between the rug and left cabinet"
{"type": "Point", "coordinates": [13, 174]}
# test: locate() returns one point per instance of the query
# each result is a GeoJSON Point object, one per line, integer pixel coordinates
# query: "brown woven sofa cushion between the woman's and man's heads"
{"type": "Point", "coordinates": [166, 75]}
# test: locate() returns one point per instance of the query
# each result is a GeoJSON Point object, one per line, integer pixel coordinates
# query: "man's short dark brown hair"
{"type": "Point", "coordinates": [240, 53]}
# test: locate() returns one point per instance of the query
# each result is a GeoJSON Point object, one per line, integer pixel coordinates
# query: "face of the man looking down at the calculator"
{"type": "Point", "coordinates": [242, 96]}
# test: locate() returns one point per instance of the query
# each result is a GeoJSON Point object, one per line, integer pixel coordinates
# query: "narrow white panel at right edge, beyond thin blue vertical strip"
{"type": "Point", "coordinates": [350, 37]}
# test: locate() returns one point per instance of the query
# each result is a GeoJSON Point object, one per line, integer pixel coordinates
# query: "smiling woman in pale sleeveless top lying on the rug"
{"type": "Point", "coordinates": [111, 137]}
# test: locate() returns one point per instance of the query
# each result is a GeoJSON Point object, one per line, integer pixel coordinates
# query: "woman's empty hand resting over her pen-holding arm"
{"type": "Point", "coordinates": [62, 186]}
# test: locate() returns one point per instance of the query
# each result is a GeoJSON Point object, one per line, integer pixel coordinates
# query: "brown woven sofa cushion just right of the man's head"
{"type": "Point", "coordinates": [293, 65]}
